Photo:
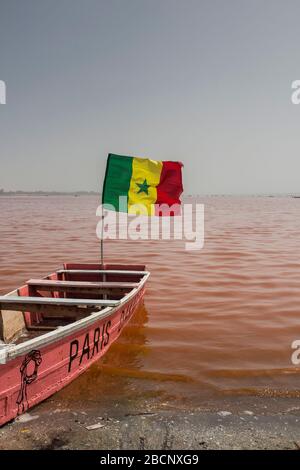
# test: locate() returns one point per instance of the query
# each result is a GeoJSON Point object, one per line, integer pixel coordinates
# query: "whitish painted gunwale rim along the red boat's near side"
{"type": "Point", "coordinates": [11, 351]}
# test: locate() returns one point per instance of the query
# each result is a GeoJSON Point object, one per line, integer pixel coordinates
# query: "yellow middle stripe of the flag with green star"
{"type": "Point", "coordinates": [145, 177]}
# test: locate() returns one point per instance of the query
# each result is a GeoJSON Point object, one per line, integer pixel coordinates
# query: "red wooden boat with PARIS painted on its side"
{"type": "Point", "coordinates": [53, 329]}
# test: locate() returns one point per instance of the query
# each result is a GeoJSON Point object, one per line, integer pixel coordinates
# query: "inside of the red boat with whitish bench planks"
{"type": "Point", "coordinates": [63, 297]}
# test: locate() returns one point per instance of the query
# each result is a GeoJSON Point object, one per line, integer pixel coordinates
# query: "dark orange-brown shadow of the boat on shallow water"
{"type": "Point", "coordinates": [121, 376]}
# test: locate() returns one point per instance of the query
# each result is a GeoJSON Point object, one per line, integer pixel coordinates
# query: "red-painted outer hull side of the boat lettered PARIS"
{"type": "Point", "coordinates": [32, 377]}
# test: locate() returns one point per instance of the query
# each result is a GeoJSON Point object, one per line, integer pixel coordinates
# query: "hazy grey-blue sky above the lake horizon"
{"type": "Point", "coordinates": [207, 82]}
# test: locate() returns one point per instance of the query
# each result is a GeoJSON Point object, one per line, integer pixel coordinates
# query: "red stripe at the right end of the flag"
{"type": "Point", "coordinates": [170, 185]}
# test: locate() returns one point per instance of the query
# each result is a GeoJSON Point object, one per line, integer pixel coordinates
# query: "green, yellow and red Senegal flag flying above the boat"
{"type": "Point", "coordinates": [142, 181]}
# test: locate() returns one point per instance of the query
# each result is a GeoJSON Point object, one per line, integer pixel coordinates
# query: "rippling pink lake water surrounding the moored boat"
{"type": "Point", "coordinates": [216, 321]}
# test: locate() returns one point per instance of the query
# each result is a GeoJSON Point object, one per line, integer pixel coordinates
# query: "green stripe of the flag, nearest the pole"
{"type": "Point", "coordinates": [117, 180]}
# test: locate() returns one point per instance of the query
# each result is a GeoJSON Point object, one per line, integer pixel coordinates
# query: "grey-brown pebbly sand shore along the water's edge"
{"type": "Point", "coordinates": [258, 423]}
